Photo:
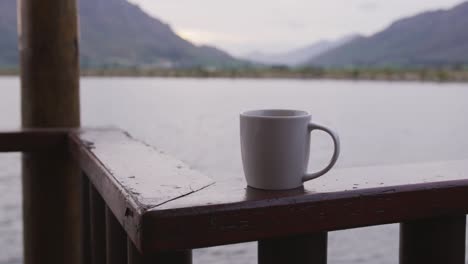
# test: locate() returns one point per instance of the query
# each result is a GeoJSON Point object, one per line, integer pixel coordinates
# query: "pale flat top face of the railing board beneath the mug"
{"type": "Point", "coordinates": [356, 180]}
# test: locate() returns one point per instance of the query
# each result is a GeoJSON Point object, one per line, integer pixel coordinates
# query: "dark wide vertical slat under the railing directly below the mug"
{"type": "Point", "coordinates": [310, 249]}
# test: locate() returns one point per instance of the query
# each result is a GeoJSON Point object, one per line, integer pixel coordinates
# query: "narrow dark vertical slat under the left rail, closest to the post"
{"type": "Point", "coordinates": [85, 221]}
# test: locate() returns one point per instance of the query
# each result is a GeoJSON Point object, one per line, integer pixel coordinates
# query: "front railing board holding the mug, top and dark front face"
{"type": "Point", "coordinates": [228, 212]}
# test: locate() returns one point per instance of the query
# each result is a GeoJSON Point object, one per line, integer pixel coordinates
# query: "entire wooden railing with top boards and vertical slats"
{"type": "Point", "coordinates": [143, 206]}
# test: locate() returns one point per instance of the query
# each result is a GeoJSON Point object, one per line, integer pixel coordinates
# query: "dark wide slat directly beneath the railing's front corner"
{"type": "Point", "coordinates": [172, 257]}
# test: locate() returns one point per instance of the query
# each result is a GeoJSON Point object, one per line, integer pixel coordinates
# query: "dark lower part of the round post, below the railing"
{"type": "Point", "coordinates": [50, 207]}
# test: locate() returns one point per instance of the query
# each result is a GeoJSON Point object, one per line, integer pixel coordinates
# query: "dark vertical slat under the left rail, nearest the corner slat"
{"type": "Point", "coordinates": [116, 240]}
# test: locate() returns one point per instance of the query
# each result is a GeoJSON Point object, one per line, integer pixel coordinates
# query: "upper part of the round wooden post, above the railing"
{"type": "Point", "coordinates": [48, 36]}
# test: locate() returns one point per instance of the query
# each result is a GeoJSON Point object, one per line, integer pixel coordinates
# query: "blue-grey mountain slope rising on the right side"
{"type": "Point", "coordinates": [435, 38]}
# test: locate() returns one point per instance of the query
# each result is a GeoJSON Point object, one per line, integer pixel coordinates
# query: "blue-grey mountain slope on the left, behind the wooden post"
{"type": "Point", "coordinates": [118, 33]}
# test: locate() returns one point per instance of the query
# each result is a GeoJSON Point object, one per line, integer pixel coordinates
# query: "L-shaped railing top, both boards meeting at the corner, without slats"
{"type": "Point", "coordinates": [136, 182]}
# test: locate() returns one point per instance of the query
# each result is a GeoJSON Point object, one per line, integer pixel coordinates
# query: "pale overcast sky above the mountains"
{"type": "Point", "coordinates": [242, 26]}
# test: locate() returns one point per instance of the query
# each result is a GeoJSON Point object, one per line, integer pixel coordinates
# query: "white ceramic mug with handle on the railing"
{"type": "Point", "coordinates": [275, 148]}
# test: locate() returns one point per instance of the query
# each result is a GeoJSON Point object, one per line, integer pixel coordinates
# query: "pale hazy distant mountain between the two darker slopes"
{"type": "Point", "coordinates": [301, 55]}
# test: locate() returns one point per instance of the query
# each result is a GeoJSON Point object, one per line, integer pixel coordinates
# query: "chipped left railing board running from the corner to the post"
{"type": "Point", "coordinates": [132, 176]}
